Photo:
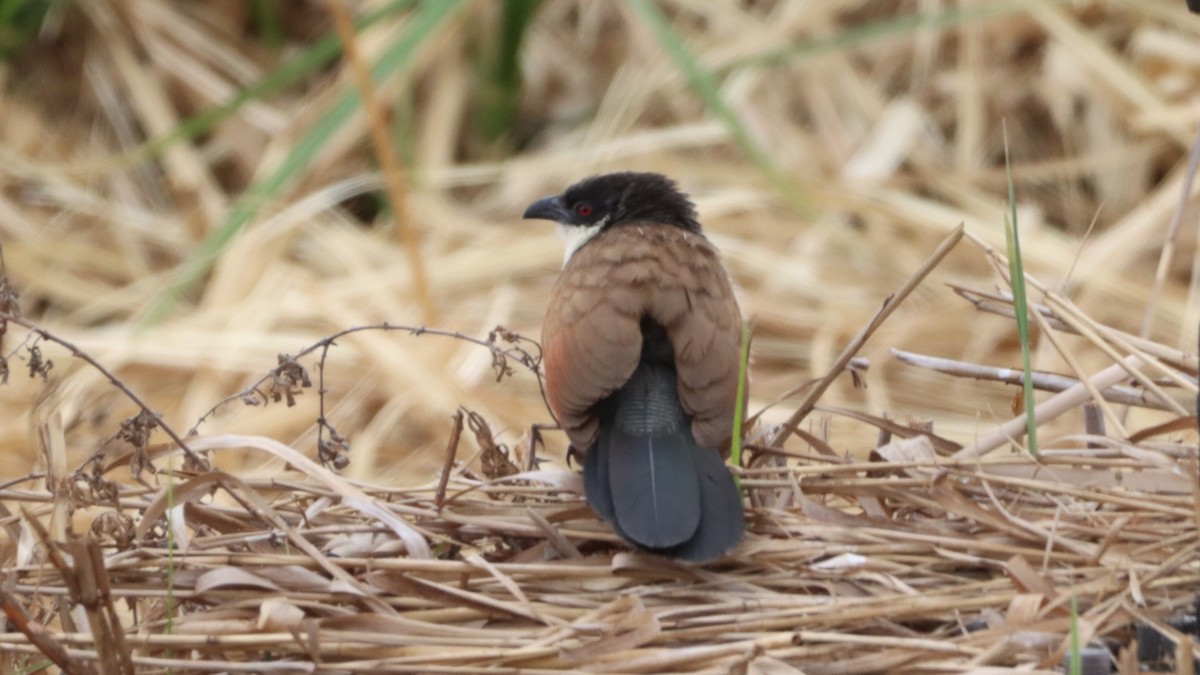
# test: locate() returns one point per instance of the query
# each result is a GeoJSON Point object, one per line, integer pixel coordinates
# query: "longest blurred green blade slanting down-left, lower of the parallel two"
{"type": "Point", "coordinates": [307, 148]}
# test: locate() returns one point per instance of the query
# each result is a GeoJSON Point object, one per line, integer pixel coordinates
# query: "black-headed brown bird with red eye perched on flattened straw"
{"type": "Point", "coordinates": [643, 347]}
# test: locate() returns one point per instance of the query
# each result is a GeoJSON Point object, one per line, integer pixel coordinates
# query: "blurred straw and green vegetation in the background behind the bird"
{"type": "Point", "coordinates": [190, 189]}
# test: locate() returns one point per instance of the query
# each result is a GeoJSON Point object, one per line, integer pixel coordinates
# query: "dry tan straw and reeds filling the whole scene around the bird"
{"type": "Point", "coordinates": [896, 523]}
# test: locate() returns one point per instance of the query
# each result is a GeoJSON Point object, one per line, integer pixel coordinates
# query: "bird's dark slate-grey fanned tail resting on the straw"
{"type": "Point", "coordinates": [647, 476]}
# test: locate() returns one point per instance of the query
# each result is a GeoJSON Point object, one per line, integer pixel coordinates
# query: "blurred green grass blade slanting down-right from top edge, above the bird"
{"type": "Point", "coordinates": [705, 85]}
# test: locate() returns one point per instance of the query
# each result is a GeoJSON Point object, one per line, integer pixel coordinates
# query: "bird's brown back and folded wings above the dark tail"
{"type": "Point", "coordinates": [627, 273]}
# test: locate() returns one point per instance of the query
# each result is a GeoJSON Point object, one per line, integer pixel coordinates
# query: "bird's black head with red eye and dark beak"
{"type": "Point", "coordinates": [615, 199]}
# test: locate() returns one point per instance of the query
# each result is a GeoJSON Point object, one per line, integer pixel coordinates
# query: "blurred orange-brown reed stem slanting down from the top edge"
{"type": "Point", "coordinates": [393, 174]}
